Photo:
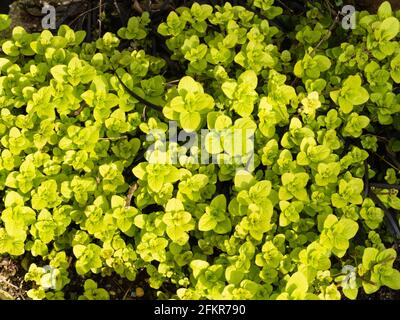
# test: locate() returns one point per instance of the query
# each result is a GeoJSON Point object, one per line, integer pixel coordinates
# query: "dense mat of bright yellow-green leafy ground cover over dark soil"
{"type": "Point", "coordinates": [102, 199]}
